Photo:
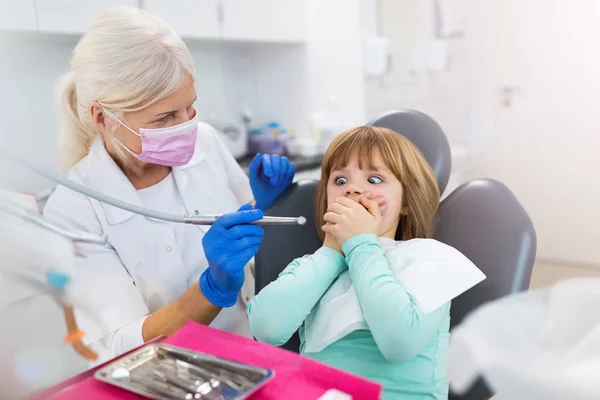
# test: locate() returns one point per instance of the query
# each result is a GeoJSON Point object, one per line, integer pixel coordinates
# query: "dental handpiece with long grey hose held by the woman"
{"type": "Point", "coordinates": [185, 219]}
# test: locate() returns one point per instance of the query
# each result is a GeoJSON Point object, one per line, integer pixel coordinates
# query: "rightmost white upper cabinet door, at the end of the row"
{"type": "Point", "coordinates": [264, 20]}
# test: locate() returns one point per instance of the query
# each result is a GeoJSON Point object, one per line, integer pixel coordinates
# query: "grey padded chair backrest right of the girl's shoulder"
{"type": "Point", "coordinates": [484, 220]}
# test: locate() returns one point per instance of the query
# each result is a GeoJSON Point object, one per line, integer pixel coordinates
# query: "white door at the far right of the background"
{"type": "Point", "coordinates": [546, 146]}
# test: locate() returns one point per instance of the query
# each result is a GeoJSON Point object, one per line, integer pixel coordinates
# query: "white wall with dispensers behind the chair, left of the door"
{"type": "Point", "coordinates": [454, 98]}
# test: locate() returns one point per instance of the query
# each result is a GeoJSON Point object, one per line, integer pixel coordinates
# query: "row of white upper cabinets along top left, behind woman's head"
{"type": "Point", "coordinates": [281, 21]}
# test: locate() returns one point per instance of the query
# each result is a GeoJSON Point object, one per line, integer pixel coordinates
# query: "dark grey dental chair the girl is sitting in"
{"type": "Point", "coordinates": [481, 218]}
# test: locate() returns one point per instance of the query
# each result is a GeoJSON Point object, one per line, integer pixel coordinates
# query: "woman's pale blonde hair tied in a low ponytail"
{"type": "Point", "coordinates": [127, 61]}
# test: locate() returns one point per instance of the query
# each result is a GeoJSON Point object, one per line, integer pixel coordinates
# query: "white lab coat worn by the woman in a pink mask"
{"type": "Point", "coordinates": [141, 268]}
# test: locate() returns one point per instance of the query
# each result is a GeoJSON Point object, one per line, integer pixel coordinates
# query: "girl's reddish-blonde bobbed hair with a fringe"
{"type": "Point", "coordinates": [421, 194]}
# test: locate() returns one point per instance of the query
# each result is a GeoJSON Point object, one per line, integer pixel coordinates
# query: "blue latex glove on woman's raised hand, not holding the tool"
{"type": "Point", "coordinates": [270, 175]}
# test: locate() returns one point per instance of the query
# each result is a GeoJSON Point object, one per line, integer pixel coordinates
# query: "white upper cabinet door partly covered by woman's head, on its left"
{"type": "Point", "coordinates": [73, 16]}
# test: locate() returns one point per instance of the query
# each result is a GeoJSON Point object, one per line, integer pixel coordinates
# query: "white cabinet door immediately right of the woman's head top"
{"type": "Point", "coordinates": [189, 18]}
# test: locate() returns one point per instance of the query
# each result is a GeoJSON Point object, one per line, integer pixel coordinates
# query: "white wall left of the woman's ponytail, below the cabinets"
{"type": "Point", "coordinates": [30, 65]}
